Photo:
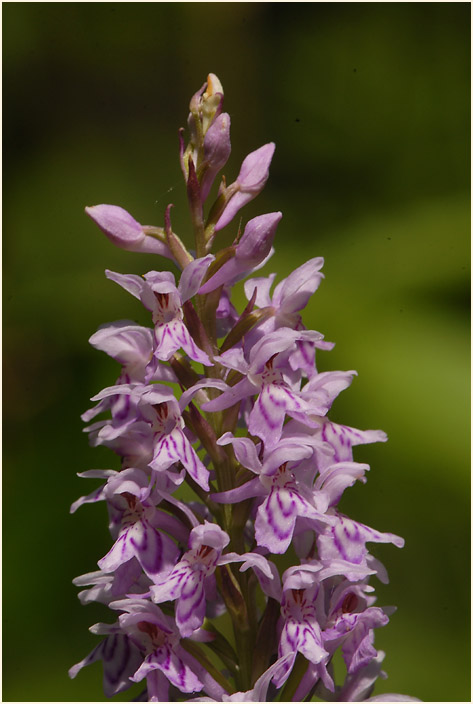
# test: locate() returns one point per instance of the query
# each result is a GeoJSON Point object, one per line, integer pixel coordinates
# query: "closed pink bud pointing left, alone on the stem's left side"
{"type": "Point", "coordinates": [124, 231]}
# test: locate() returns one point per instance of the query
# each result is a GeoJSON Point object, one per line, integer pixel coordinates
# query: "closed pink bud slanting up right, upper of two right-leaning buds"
{"type": "Point", "coordinates": [253, 175]}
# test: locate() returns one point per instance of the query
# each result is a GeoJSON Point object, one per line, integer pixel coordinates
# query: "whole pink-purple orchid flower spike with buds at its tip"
{"type": "Point", "coordinates": [232, 405]}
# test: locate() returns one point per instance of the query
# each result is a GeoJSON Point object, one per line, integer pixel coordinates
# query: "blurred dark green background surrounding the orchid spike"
{"type": "Point", "coordinates": [369, 107]}
